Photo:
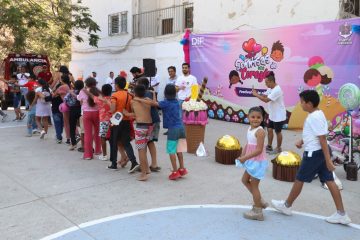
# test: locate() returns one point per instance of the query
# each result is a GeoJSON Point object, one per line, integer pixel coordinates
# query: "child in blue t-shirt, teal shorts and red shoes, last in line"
{"type": "Point", "coordinates": [176, 133]}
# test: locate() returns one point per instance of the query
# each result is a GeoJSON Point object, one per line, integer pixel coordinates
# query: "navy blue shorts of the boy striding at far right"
{"type": "Point", "coordinates": [314, 163]}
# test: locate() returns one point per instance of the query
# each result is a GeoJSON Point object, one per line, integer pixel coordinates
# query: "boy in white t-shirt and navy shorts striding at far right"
{"type": "Point", "coordinates": [316, 159]}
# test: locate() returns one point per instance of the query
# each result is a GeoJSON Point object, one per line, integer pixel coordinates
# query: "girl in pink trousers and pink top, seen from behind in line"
{"type": "Point", "coordinates": [90, 119]}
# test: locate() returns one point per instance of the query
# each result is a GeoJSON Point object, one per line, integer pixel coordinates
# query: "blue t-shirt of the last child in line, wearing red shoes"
{"type": "Point", "coordinates": [171, 116]}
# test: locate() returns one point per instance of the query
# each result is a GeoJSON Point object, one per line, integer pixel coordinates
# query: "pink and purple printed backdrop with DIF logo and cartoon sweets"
{"type": "Point", "coordinates": [321, 56]}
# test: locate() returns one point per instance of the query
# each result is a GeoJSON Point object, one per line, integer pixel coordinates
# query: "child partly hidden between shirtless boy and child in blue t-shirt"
{"type": "Point", "coordinates": [155, 125]}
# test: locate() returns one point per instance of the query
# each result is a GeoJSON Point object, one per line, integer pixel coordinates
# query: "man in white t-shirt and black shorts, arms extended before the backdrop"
{"type": "Point", "coordinates": [274, 98]}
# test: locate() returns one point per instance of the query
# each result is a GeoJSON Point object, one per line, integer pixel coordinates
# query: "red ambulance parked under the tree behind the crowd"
{"type": "Point", "coordinates": [12, 64]}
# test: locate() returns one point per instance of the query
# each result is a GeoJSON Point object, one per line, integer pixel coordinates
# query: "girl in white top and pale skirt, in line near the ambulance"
{"type": "Point", "coordinates": [43, 106]}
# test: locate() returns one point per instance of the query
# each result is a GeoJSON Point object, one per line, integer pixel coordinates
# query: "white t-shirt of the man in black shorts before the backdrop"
{"type": "Point", "coordinates": [276, 107]}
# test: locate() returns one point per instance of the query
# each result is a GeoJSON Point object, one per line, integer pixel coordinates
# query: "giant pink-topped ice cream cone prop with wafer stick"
{"type": "Point", "coordinates": [195, 117]}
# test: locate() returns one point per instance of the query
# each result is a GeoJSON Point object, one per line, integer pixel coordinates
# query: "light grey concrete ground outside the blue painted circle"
{"type": "Point", "coordinates": [45, 188]}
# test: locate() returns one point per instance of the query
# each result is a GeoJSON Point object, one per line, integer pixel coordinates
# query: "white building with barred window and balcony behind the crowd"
{"type": "Point", "coordinates": [135, 29]}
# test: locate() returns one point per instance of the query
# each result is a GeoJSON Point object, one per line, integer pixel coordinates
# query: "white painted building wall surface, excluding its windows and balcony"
{"type": "Point", "coordinates": [121, 52]}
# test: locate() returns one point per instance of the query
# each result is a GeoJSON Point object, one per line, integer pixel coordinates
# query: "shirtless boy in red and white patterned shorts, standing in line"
{"type": "Point", "coordinates": [143, 128]}
